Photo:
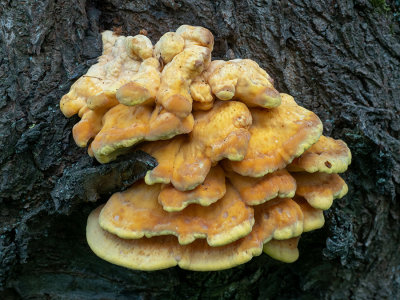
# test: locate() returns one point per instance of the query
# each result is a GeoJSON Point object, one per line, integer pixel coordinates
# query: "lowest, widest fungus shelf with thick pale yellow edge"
{"type": "Point", "coordinates": [164, 251]}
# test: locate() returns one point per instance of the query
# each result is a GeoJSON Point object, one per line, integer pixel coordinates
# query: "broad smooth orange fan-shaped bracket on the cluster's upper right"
{"type": "Point", "coordinates": [278, 135]}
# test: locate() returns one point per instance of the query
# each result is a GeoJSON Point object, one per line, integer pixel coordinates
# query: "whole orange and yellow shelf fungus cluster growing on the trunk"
{"type": "Point", "coordinates": [241, 169]}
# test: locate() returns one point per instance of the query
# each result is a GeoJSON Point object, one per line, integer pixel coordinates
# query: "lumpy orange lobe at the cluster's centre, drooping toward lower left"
{"type": "Point", "coordinates": [222, 132]}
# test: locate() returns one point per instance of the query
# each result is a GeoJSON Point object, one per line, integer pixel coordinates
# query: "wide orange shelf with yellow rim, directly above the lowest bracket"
{"type": "Point", "coordinates": [136, 212]}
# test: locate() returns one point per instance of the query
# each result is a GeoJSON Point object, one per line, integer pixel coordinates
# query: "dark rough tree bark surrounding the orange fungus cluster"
{"type": "Point", "coordinates": [340, 59]}
